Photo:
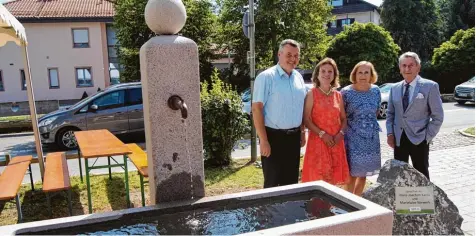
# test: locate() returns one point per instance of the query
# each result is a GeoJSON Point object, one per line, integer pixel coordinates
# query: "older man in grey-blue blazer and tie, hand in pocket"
{"type": "Point", "coordinates": [414, 115]}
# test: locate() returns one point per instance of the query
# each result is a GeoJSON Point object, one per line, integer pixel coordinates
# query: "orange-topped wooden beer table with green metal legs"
{"type": "Point", "coordinates": [97, 144]}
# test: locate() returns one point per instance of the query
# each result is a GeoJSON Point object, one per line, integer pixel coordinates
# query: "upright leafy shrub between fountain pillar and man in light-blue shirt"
{"type": "Point", "coordinates": [223, 121]}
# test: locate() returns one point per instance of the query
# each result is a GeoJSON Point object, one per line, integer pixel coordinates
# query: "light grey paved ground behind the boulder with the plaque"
{"type": "Point", "coordinates": [453, 170]}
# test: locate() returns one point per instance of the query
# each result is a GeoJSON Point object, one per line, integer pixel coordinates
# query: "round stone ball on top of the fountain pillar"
{"type": "Point", "coordinates": [165, 17]}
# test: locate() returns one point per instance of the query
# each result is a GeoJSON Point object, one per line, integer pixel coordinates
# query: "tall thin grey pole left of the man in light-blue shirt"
{"type": "Point", "coordinates": [251, 34]}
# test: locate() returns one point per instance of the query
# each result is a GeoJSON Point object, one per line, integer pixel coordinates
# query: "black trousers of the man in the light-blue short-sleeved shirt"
{"type": "Point", "coordinates": [282, 166]}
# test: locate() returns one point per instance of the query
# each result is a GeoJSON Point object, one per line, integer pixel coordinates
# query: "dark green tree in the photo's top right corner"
{"type": "Point", "coordinates": [455, 15]}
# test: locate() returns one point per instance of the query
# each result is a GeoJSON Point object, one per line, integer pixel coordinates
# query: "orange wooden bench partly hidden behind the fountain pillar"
{"type": "Point", "coordinates": [139, 159]}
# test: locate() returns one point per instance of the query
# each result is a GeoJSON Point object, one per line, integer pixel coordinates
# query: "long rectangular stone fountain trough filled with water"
{"type": "Point", "coordinates": [309, 208]}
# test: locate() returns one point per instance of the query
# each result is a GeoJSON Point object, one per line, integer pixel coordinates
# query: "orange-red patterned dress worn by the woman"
{"type": "Point", "coordinates": [320, 161]}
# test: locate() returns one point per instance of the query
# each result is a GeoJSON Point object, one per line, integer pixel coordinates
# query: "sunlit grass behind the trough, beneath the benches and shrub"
{"type": "Point", "coordinates": [109, 195]}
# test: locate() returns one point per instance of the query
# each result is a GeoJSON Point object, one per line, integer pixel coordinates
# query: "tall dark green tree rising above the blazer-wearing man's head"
{"type": "Point", "coordinates": [414, 25]}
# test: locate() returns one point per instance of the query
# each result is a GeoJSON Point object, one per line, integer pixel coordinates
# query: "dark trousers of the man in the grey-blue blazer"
{"type": "Point", "coordinates": [418, 152]}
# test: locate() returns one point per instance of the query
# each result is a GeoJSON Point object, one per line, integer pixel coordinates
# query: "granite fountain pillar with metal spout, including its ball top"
{"type": "Point", "coordinates": [172, 114]}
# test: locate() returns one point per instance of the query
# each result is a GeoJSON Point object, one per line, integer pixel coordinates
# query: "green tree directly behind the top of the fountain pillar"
{"type": "Point", "coordinates": [132, 32]}
